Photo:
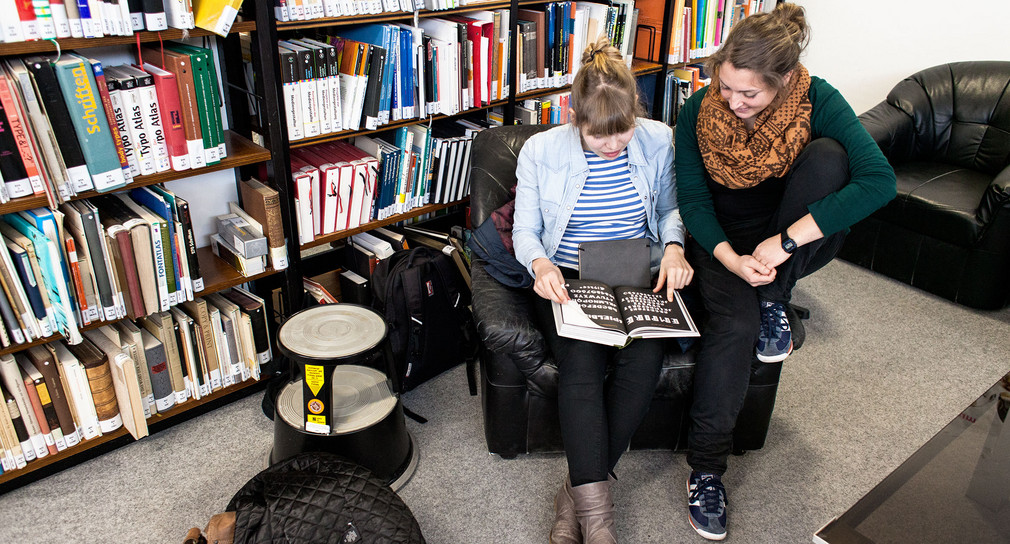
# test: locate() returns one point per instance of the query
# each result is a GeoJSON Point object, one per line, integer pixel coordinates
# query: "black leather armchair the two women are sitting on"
{"type": "Point", "coordinates": [519, 375]}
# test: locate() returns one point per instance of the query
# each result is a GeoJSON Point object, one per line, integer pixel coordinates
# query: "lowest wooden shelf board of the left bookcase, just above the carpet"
{"type": "Point", "coordinates": [96, 447]}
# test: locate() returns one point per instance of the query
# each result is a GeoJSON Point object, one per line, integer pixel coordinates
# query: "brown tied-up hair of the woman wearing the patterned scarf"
{"type": "Point", "coordinates": [767, 44]}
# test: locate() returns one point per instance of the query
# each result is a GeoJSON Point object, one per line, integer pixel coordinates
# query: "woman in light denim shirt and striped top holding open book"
{"type": "Point", "coordinates": [605, 175]}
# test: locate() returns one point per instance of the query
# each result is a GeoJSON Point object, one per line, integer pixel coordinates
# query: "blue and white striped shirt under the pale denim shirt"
{"type": "Point", "coordinates": [610, 208]}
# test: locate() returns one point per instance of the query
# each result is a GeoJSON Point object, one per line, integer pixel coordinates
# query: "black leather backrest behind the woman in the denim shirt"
{"type": "Point", "coordinates": [494, 155]}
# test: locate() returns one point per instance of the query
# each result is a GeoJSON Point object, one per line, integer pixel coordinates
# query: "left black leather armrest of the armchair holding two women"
{"type": "Point", "coordinates": [507, 325]}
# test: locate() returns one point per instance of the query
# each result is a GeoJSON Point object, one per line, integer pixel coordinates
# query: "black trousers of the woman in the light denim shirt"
{"type": "Point", "coordinates": [599, 416]}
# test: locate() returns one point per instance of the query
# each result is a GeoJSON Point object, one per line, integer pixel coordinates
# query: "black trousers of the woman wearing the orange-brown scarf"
{"type": "Point", "coordinates": [723, 369]}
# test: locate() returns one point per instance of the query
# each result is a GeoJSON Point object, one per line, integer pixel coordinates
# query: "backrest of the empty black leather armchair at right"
{"type": "Point", "coordinates": [961, 114]}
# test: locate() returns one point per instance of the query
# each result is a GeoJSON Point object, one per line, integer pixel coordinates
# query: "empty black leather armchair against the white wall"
{"type": "Point", "coordinates": [947, 133]}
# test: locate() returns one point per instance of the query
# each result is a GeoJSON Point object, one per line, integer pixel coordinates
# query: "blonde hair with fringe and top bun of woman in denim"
{"type": "Point", "coordinates": [604, 93]}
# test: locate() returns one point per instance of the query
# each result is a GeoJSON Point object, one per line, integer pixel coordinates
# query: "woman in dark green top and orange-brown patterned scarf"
{"type": "Point", "coordinates": [772, 167]}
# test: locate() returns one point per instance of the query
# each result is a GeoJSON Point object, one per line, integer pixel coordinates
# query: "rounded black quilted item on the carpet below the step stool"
{"type": "Point", "coordinates": [321, 499]}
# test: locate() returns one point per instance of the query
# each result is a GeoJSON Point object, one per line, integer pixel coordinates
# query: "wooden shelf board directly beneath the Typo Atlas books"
{"type": "Point", "coordinates": [241, 152]}
